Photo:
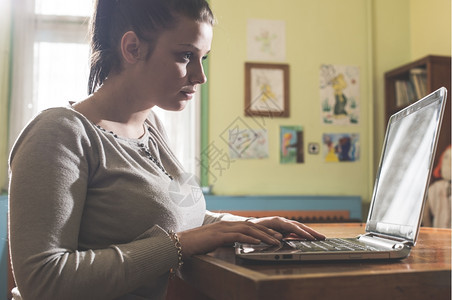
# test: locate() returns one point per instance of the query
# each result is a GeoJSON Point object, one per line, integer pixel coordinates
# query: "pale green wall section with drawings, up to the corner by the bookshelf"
{"type": "Point", "coordinates": [317, 32]}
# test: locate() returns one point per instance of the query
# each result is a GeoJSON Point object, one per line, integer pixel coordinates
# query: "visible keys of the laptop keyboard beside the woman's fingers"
{"type": "Point", "coordinates": [334, 244]}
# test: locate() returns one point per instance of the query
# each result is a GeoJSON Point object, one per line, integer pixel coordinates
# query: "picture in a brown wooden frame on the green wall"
{"type": "Point", "coordinates": [267, 90]}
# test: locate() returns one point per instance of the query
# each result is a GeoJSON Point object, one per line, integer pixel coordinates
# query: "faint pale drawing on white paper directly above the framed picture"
{"type": "Point", "coordinates": [266, 40]}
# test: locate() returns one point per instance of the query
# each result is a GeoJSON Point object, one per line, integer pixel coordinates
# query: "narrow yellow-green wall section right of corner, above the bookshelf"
{"type": "Point", "coordinates": [403, 31]}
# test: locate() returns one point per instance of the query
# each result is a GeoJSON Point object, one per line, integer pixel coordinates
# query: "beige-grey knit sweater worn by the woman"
{"type": "Point", "coordinates": [90, 211]}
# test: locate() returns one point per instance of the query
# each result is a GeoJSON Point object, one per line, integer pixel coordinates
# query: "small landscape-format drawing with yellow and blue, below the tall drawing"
{"type": "Point", "coordinates": [341, 147]}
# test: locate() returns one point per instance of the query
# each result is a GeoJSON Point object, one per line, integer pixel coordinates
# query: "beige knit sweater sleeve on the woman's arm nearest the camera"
{"type": "Point", "coordinates": [49, 173]}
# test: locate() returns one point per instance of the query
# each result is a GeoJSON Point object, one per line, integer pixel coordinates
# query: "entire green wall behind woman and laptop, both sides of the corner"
{"type": "Point", "coordinates": [375, 35]}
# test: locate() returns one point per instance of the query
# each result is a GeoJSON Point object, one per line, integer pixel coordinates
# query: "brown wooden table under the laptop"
{"type": "Point", "coordinates": [425, 274]}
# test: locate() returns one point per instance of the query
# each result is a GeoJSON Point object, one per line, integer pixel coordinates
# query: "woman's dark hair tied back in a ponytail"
{"type": "Point", "coordinates": [147, 18]}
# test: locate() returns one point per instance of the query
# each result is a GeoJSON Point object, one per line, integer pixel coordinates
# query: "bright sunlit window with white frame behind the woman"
{"type": "Point", "coordinates": [50, 68]}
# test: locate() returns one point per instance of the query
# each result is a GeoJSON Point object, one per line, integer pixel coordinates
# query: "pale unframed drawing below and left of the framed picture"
{"type": "Point", "coordinates": [248, 143]}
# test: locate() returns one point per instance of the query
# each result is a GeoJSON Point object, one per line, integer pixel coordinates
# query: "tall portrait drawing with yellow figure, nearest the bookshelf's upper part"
{"type": "Point", "coordinates": [339, 94]}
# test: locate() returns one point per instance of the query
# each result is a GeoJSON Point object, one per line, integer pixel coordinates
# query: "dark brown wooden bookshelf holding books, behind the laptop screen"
{"type": "Point", "coordinates": [436, 72]}
